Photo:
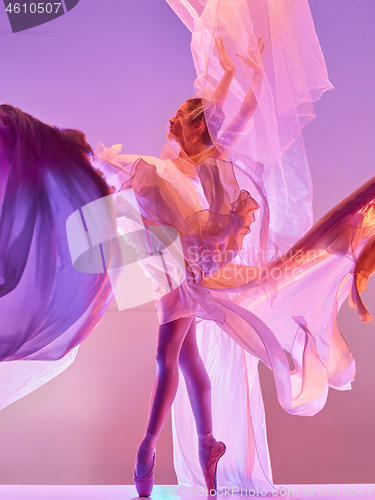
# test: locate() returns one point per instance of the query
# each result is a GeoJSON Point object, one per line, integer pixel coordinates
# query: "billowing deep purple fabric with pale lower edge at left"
{"type": "Point", "coordinates": [46, 307]}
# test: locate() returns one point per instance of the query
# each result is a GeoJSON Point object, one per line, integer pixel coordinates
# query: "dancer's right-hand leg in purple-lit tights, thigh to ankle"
{"type": "Point", "coordinates": [198, 387]}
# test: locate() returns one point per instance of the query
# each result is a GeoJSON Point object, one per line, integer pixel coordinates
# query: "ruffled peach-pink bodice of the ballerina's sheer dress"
{"type": "Point", "coordinates": [208, 210]}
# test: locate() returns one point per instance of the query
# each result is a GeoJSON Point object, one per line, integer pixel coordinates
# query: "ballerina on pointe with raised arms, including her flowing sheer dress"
{"type": "Point", "coordinates": [198, 195]}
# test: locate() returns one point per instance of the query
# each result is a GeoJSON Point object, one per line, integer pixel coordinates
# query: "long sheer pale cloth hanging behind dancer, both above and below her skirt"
{"type": "Point", "coordinates": [270, 162]}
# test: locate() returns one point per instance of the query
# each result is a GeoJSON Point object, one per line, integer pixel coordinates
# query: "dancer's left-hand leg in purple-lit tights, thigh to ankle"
{"type": "Point", "coordinates": [170, 338]}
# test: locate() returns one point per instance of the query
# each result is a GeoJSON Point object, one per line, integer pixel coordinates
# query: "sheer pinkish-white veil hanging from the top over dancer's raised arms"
{"type": "Point", "coordinates": [295, 75]}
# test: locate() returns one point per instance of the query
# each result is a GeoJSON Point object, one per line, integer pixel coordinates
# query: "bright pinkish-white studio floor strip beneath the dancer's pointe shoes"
{"type": "Point", "coordinates": [101, 492]}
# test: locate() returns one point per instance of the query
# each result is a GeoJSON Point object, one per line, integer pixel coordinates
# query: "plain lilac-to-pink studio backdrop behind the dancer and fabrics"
{"type": "Point", "coordinates": [117, 70]}
